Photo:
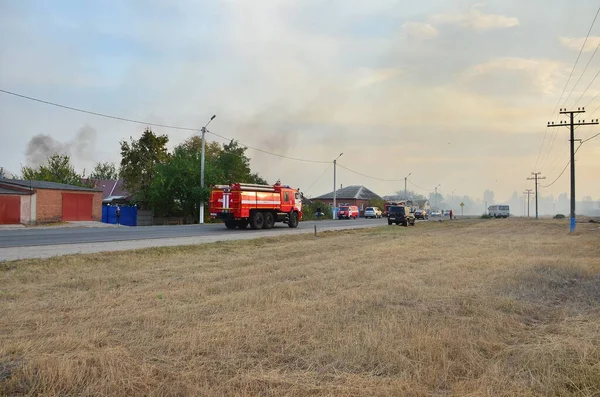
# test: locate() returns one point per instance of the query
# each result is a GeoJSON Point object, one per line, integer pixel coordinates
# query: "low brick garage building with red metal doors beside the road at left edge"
{"type": "Point", "coordinates": [30, 202]}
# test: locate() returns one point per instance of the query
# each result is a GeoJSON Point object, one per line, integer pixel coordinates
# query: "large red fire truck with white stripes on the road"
{"type": "Point", "coordinates": [260, 206]}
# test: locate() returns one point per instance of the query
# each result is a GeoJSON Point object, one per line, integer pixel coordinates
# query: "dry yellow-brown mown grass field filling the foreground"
{"type": "Point", "coordinates": [462, 308]}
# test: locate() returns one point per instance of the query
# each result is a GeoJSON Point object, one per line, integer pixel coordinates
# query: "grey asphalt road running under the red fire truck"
{"type": "Point", "coordinates": [30, 237]}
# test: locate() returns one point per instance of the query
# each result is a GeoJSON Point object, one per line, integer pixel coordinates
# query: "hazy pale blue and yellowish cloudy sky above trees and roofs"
{"type": "Point", "coordinates": [455, 92]}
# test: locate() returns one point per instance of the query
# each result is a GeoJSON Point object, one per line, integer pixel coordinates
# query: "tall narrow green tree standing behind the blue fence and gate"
{"type": "Point", "coordinates": [139, 160]}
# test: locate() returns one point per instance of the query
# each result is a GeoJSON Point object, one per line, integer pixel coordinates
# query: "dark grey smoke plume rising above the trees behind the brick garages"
{"type": "Point", "coordinates": [41, 146]}
